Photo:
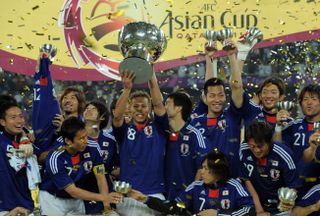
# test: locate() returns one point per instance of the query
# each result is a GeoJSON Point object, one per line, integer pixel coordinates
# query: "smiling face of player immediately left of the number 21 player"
{"type": "Point", "coordinates": [270, 96]}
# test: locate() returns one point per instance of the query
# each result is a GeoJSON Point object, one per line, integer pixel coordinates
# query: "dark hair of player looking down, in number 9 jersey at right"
{"type": "Point", "coordinates": [260, 131]}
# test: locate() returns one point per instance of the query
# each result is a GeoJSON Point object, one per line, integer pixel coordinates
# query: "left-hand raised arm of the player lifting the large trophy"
{"type": "Point", "coordinates": [120, 109]}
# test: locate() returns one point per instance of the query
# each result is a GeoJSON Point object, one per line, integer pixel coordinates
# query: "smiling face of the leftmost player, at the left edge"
{"type": "Point", "coordinates": [13, 121]}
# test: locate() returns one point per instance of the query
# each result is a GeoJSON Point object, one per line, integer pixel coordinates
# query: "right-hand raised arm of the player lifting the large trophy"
{"type": "Point", "coordinates": [156, 96]}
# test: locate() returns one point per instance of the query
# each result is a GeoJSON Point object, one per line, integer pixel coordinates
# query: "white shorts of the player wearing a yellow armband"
{"type": "Point", "coordinates": [55, 206]}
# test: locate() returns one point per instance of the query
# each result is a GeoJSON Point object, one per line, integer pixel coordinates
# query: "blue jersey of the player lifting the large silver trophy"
{"type": "Point", "coordinates": [142, 154]}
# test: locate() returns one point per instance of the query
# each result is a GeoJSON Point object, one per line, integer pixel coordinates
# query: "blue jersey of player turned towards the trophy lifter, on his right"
{"type": "Point", "coordinates": [180, 160]}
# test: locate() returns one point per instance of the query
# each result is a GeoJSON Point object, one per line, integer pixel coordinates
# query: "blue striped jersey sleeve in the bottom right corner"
{"type": "Point", "coordinates": [310, 198]}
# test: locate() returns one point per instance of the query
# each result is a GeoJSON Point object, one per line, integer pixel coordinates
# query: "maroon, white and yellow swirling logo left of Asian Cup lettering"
{"type": "Point", "coordinates": [90, 29]}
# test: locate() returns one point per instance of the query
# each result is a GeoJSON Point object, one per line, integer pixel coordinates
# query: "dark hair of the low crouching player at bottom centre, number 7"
{"type": "Point", "coordinates": [218, 165]}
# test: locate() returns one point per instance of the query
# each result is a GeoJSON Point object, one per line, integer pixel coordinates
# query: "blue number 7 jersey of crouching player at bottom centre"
{"type": "Point", "coordinates": [229, 197]}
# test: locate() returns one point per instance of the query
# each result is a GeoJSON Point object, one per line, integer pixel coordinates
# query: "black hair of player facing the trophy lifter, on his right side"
{"type": "Point", "coordinates": [182, 99]}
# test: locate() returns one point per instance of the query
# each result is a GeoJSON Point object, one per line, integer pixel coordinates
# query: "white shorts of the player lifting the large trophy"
{"type": "Point", "coordinates": [131, 207]}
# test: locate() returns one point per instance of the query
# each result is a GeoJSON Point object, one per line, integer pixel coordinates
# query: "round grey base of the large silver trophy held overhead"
{"type": "Point", "coordinates": [140, 67]}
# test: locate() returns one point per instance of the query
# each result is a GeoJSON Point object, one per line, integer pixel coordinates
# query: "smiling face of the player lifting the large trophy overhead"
{"type": "Point", "coordinates": [139, 109]}
